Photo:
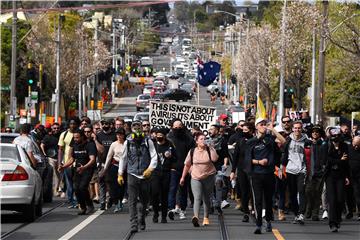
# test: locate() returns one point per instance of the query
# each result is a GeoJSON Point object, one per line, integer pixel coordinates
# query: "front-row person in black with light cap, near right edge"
{"type": "Point", "coordinates": [336, 162]}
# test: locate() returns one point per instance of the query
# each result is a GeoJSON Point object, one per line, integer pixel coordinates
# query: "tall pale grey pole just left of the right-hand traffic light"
{"type": "Point", "coordinates": [283, 63]}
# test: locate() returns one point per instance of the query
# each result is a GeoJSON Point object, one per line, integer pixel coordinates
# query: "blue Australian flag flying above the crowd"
{"type": "Point", "coordinates": [208, 72]}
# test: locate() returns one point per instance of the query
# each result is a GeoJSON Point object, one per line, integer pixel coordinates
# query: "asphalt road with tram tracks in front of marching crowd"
{"type": "Point", "coordinates": [63, 223]}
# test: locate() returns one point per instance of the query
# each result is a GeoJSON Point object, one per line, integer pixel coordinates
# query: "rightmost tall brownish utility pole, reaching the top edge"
{"type": "Point", "coordinates": [321, 73]}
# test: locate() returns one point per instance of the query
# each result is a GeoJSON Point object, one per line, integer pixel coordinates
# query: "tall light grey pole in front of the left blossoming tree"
{"type": "Point", "coordinates": [57, 90]}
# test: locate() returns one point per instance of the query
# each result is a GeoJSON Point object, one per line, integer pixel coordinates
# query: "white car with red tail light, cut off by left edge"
{"type": "Point", "coordinates": [20, 185]}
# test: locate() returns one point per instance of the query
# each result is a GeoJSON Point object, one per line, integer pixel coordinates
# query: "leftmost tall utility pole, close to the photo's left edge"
{"type": "Point", "coordinates": [13, 63]}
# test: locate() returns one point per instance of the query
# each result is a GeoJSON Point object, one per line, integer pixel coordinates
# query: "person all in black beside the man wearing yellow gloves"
{"type": "Point", "coordinates": [160, 181]}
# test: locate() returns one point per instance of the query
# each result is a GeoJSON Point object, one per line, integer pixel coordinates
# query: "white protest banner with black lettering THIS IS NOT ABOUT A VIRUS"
{"type": "Point", "coordinates": [161, 113]}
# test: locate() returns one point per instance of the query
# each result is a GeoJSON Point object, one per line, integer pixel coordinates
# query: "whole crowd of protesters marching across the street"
{"type": "Point", "coordinates": [293, 167]}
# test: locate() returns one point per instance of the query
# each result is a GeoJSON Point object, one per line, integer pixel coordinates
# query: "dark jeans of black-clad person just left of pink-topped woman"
{"type": "Point", "coordinates": [183, 190]}
